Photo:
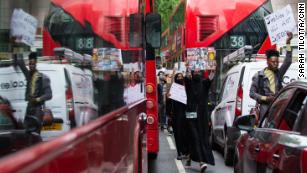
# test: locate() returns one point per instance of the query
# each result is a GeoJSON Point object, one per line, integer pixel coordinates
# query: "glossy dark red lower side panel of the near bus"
{"type": "Point", "coordinates": [95, 147]}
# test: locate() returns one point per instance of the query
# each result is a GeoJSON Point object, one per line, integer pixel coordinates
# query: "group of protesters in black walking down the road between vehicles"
{"type": "Point", "coordinates": [190, 121]}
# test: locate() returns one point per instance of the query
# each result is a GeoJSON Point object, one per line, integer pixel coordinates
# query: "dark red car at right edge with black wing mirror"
{"type": "Point", "coordinates": [279, 143]}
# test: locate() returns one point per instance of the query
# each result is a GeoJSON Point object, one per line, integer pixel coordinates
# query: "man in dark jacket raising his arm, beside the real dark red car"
{"type": "Point", "coordinates": [267, 82]}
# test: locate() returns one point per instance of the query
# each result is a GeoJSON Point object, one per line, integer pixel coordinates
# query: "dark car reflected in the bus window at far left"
{"type": "Point", "coordinates": [12, 136]}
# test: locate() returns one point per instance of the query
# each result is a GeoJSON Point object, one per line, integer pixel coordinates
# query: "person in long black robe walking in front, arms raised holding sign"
{"type": "Point", "coordinates": [197, 89]}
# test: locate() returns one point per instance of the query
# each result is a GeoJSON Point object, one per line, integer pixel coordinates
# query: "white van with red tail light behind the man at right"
{"type": "Point", "coordinates": [235, 101]}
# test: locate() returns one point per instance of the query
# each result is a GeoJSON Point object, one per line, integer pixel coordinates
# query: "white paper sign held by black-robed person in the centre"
{"type": "Point", "coordinates": [178, 93]}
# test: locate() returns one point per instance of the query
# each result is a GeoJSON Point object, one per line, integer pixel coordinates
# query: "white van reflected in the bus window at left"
{"type": "Point", "coordinates": [72, 102]}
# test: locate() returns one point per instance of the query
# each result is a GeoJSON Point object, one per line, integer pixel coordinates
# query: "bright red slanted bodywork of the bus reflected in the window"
{"type": "Point", "coordinates": [99, 16]}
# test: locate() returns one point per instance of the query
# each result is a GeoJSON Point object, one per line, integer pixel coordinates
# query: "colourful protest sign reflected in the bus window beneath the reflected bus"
{"type": "Point", "coordinates": [109, 59]}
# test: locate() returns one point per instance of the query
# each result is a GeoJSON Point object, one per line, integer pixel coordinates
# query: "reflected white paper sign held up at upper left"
{"type": "Point", "coordinates": [23, 27]}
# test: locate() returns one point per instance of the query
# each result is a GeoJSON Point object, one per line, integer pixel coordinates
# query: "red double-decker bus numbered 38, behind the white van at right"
{"type": "Point", "coordinates": [222, 24]}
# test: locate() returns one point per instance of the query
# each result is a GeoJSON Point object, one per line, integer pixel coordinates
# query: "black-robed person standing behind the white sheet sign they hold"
{"type": "Point", "coordinates": [179, 123]}
